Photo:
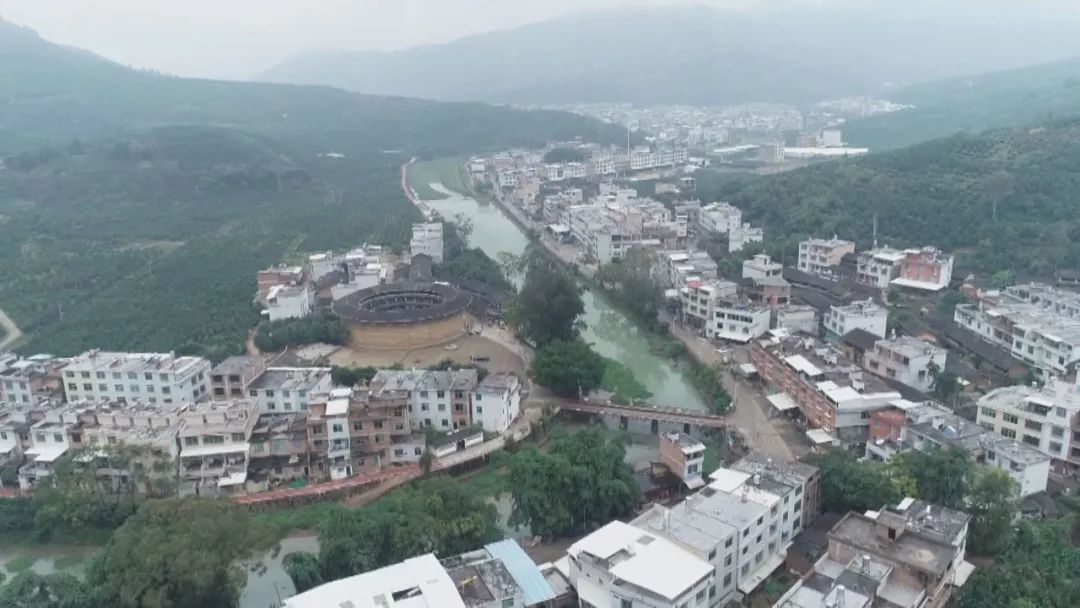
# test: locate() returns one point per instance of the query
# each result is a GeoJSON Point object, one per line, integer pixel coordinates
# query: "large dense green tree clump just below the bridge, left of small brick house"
{"type": "Point", "coordinates": [580, 483]}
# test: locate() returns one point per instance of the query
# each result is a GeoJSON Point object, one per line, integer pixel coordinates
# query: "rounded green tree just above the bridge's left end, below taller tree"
{"type": "Point", "coordinates": [570, 369]}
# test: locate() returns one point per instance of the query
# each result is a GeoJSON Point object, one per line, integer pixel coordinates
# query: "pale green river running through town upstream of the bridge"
{"type": "Point", "coordinates": [611, 332]}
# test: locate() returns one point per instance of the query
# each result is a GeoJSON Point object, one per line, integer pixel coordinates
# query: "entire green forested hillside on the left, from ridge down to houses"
{"type": "Point", "coordinates": [136, 208]}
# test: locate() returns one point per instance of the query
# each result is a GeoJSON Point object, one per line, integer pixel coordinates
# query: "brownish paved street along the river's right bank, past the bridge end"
{"type": "Point", "coordinates": [776, 438]}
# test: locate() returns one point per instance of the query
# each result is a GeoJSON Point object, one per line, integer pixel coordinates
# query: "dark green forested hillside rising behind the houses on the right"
{"type": "Point", "coordinates": [1005, 199]}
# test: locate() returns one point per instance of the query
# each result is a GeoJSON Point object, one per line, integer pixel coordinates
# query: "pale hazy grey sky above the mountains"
{"type": "Point", "coordinates": [239, 38]}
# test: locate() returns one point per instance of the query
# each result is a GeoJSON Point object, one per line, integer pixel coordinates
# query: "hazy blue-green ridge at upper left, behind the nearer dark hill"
{"type": "Point", "coordinates": [51, 93]}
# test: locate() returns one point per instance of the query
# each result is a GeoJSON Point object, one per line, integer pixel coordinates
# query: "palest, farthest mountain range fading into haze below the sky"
{"type": "Point", "coordinates": [694, 56]}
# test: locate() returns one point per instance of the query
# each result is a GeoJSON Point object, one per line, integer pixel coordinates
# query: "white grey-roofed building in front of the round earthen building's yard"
{"type": "Point", "coordinates": [441, 399]}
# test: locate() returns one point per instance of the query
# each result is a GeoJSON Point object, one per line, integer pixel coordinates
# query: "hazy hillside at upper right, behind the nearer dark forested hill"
{"type": "Point", "coordinates": [974, 104]}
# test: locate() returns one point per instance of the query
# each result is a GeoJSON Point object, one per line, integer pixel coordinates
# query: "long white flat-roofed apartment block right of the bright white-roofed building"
{"type": "Point", "coordinates": [740, 525]}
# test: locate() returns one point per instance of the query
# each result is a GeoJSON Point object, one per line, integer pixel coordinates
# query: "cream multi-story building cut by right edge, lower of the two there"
{"type": "Point", "coordinates": [1046, 418]}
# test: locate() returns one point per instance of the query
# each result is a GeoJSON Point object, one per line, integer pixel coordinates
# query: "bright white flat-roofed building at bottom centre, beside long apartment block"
{"type": "Point", "coordinates": [625, 565]}
